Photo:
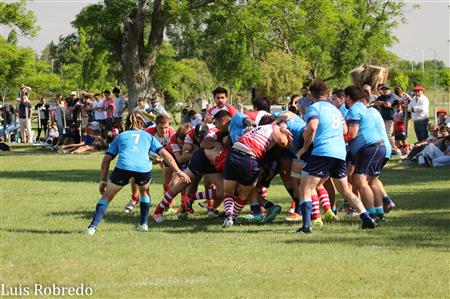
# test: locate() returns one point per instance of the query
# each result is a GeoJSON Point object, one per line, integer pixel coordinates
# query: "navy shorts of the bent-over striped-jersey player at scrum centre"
{"type": "Point", "coordinates": [241, 167]}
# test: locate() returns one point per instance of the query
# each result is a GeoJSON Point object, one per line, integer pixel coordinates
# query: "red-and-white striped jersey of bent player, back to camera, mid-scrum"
{"type": "Point", "coordinates": [259, 140]}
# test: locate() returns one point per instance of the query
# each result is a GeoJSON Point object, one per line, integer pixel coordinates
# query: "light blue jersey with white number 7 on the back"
{"type": "Point", "coordinates": [133, 148]}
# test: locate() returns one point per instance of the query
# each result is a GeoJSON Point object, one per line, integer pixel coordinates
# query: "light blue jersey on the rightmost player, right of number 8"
{"type": "Point", "coordinates": [367, 133]}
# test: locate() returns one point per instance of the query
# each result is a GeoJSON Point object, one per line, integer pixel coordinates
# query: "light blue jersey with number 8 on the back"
{"type": "Point", "coordinates": [329, 138]}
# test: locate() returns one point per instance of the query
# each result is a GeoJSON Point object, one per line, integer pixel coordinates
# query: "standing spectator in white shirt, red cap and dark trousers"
{"type": "Point", "coordinates": [419, 108]}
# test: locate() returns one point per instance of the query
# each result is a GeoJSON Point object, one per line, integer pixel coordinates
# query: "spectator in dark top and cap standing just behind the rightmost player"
{"type": "Point", "coordinates": [384, 103]}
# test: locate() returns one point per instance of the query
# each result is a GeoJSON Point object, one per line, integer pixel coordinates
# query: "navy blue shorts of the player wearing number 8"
{"type": "Point", "coordinates": [324, 167]}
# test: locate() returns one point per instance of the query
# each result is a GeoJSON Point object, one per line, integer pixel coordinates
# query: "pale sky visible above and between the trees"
{"type": "Point", "coordinates": [426, 32]}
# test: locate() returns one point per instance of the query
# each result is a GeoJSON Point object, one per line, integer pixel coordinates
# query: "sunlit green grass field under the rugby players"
{"type": "Point", "coordinates": [47, 200]}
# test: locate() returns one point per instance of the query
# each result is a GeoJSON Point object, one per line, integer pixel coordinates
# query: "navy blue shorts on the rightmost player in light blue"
{"type": "Point", "coordinates": [370, 160]}
